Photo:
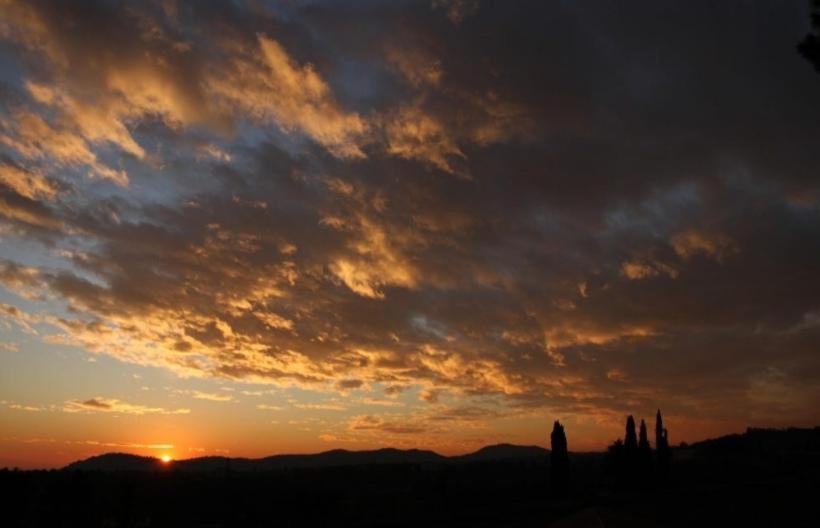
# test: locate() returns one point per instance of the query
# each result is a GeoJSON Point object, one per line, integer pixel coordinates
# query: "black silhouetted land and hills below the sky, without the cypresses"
{"type": "Point", "coordinates": [760, 478]}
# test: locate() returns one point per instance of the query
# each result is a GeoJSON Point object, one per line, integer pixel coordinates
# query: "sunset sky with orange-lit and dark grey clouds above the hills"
{"type": "Point", "coordinates": [249, 228]}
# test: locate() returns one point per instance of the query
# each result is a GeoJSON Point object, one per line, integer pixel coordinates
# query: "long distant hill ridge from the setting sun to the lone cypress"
{"type": "Point", "coordinates": [334, 458]}
